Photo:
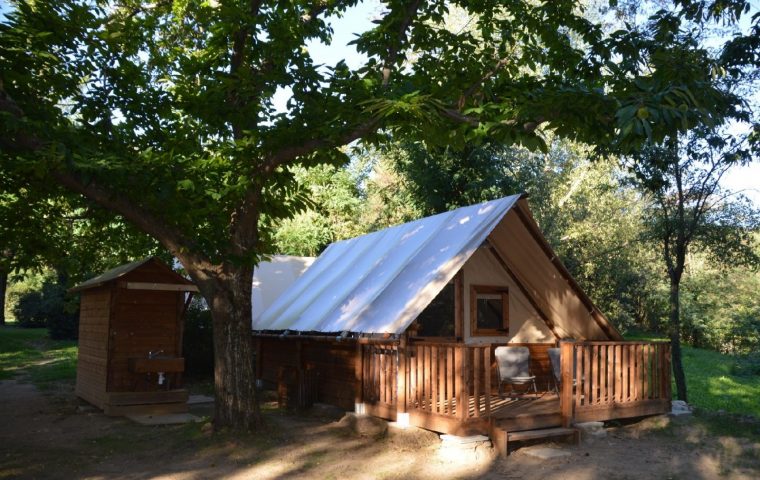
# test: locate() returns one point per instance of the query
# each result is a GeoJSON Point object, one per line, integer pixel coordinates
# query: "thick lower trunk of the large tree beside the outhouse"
{"type": "Point", "coordinates": [236, 403]}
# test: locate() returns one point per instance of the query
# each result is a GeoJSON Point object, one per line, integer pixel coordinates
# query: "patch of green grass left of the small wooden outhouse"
{"type": "Point", "coordinates": [30, 352]}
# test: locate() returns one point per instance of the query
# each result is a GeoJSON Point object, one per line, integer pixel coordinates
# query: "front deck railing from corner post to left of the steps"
{"type": "Point", "coordinates": [449, 379]}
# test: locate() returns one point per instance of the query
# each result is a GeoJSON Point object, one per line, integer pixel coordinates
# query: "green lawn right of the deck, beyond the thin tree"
{"type": "Point", "coordinates": [711, 383]}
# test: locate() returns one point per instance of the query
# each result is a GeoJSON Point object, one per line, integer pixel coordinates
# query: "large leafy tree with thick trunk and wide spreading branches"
{"type": "Point", "coordinates": [163, 113]}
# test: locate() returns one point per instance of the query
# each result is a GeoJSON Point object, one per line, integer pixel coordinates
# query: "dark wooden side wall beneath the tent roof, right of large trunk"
{"type": "Point", "coordinates": [334, 363]}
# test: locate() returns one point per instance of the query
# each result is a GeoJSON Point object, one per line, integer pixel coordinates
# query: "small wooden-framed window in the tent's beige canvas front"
{"type": "Point", "coordinates": [489, 310]}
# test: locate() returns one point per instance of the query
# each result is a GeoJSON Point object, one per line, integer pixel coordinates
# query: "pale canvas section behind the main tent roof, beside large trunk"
{"type": "Point", "coordinates": [271, 278]}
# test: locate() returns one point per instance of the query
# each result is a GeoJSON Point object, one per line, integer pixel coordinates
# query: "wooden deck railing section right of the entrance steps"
{"type": "Point", "coordinates": [607, 380]}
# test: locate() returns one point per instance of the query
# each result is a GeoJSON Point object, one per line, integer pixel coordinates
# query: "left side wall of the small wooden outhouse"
{"type": "Point", "coordinates": [93, 345]}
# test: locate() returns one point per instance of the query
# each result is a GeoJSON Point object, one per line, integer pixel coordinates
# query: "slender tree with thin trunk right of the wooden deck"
{"type": "Point", "coordinates": [691, 212]}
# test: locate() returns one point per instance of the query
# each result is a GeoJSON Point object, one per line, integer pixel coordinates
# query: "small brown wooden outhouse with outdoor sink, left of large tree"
{"type": "Point", "coordinates": [130, 339]}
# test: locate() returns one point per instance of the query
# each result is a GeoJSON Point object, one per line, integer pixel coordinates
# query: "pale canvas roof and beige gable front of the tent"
{"type": "Point", "coordinates": [381, 282]}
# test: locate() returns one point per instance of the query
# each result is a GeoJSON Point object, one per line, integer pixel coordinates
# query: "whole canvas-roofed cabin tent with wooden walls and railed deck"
{"type": "Point", "coordinates": [403, 322]}
